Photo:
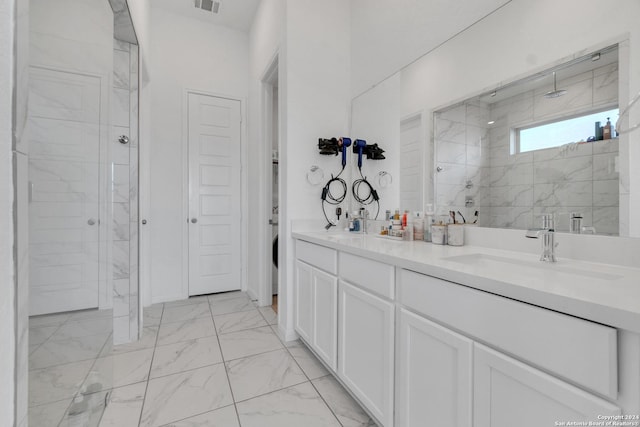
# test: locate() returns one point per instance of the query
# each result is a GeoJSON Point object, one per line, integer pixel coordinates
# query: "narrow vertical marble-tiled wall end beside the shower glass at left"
{"type": "Point", "coordinates": [124, 164]}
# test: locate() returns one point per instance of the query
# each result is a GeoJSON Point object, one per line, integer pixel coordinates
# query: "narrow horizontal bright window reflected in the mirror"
{"type": "Point", "coordinates": [561, 132]}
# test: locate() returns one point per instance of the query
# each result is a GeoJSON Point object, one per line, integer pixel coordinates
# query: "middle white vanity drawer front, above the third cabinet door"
{"type": "Point", "coordinates": [372, 275]}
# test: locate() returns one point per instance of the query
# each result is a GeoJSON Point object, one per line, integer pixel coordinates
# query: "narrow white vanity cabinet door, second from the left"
{"type": "Point", "coordinates": [325, 316]}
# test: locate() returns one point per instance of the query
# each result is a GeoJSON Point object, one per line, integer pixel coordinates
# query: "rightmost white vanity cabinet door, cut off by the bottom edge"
{"type": "Point", "coordinates": [508, 392]}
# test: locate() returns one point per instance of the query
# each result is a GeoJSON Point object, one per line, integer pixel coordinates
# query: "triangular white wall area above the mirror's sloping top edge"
{"type": "Point", "coordinates": [386, 36]}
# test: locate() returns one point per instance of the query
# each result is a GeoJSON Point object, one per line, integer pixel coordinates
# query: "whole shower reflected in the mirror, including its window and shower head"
{"type": "Point", "coordinates": [534, 146]}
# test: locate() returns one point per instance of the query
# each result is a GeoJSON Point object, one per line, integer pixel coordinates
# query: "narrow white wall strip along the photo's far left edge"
{"type": "Point", "coordinates": [7, 273]}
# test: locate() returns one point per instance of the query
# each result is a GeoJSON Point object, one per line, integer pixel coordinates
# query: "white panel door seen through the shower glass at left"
{"type": "Point", "coordinates": [64, 132]}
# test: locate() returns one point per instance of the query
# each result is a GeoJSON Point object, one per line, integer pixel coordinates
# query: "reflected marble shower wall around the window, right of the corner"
{"type": "Point", "coordinates": [577, 178]}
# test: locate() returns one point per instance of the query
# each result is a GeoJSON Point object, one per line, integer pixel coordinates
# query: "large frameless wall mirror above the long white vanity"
{"type": "Point", "coordinates": [501, 120]}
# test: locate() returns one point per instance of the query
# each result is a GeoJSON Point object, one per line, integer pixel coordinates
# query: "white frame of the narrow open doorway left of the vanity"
{"type": "Point", "coordinates": [270, 74]}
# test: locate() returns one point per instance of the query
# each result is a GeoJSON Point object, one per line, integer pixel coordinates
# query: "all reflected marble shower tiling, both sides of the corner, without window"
{"type": "Point", "coordinates": [509, 190]}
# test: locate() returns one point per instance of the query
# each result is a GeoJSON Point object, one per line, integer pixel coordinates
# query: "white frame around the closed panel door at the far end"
{"type": "Point", "coordinates": [185, 186]}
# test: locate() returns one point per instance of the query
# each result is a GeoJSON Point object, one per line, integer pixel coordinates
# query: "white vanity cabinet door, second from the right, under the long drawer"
{"type": "Point", "coordinates": [433, 374]}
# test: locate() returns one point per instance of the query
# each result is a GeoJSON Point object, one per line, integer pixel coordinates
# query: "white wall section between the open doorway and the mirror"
{"type": "Point", "coordinates": [314, 103]}
